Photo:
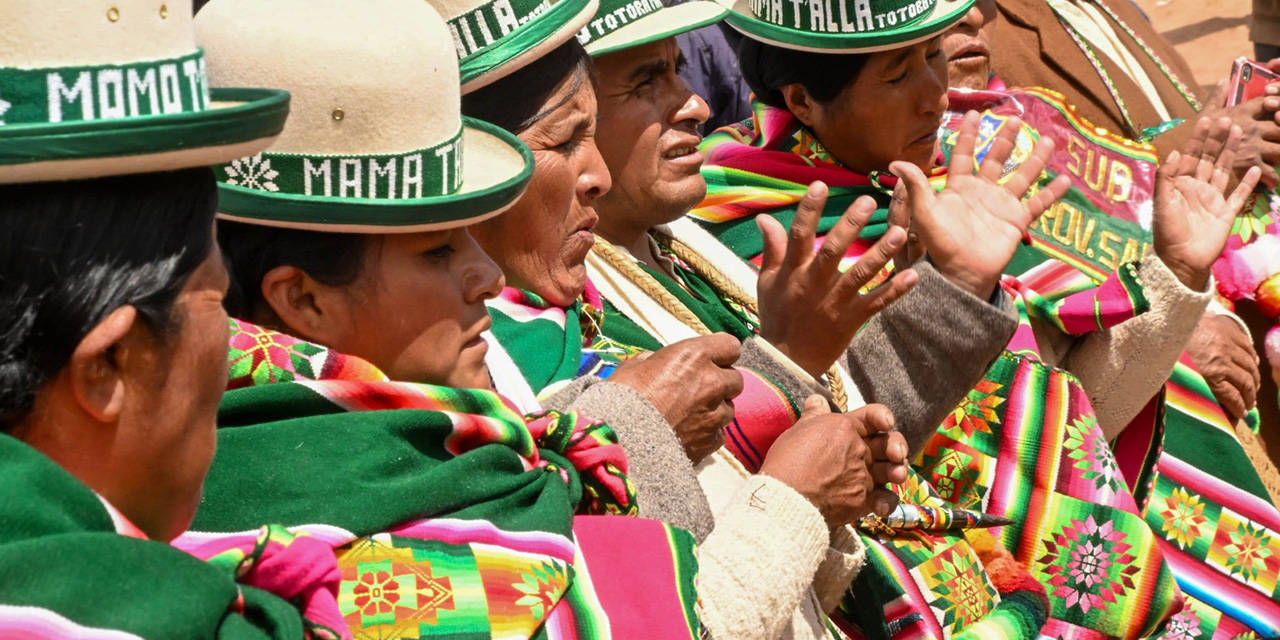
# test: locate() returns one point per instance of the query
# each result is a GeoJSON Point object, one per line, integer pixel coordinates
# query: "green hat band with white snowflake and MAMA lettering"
{"type": "Point", "coordinates": [435, 171]}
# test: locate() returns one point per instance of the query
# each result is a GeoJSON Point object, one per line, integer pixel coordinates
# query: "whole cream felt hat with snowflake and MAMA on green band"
{"type": "Point", "coordinates": [377, 143]}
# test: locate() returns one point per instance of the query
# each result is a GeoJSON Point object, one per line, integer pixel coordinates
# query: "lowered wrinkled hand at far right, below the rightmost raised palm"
{"type": "Point", "coordinates": [1226, 358]}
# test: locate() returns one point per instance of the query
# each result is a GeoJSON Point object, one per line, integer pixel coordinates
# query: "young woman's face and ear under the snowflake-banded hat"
{"type": "Point", "coordinates": [417, 312]}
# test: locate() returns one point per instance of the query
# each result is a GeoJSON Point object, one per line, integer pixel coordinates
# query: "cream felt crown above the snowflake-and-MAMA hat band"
{"type": "Point", "coordinates": [369, 79]}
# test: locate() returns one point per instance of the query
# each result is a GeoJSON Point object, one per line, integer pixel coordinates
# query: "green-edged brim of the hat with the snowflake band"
{"type": "Point", "coordinates": [496, 170]}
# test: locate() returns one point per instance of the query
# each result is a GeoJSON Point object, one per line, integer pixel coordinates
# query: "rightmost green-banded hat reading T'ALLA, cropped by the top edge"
{"type": "Point", "coordinates": [845, 26]}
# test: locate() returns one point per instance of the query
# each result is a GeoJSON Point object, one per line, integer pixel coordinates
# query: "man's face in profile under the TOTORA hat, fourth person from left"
{"type": "Point", "coordinates": [648, 135]}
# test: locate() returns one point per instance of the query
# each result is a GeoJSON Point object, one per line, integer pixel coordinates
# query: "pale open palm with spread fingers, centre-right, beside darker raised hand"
{"type": "Point", "coordinates": [975, 226]}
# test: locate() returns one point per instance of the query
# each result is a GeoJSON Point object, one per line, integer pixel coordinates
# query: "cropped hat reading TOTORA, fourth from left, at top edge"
{"type": "Point", "coordinates": [621, 25]}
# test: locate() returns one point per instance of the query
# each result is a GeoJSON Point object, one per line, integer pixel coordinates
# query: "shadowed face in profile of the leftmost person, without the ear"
{"type": "Point", "coordinates": [168, 427]}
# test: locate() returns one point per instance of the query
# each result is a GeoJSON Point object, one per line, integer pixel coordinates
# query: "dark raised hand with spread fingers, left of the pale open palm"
{"type": "Point", "coordinates": [810, 310]}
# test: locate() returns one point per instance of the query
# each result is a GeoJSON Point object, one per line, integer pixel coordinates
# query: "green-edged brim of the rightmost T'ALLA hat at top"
{"type": "Point", "coordinates": [945, 15]}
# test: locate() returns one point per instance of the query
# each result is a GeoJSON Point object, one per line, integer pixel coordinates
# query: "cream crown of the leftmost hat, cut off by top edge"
{"type": "Point", "coordinates": [42, 34]}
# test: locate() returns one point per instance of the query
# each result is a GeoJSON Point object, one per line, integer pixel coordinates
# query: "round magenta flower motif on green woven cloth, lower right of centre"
{"type": "Point", "coordinates": [1089, 565]}
